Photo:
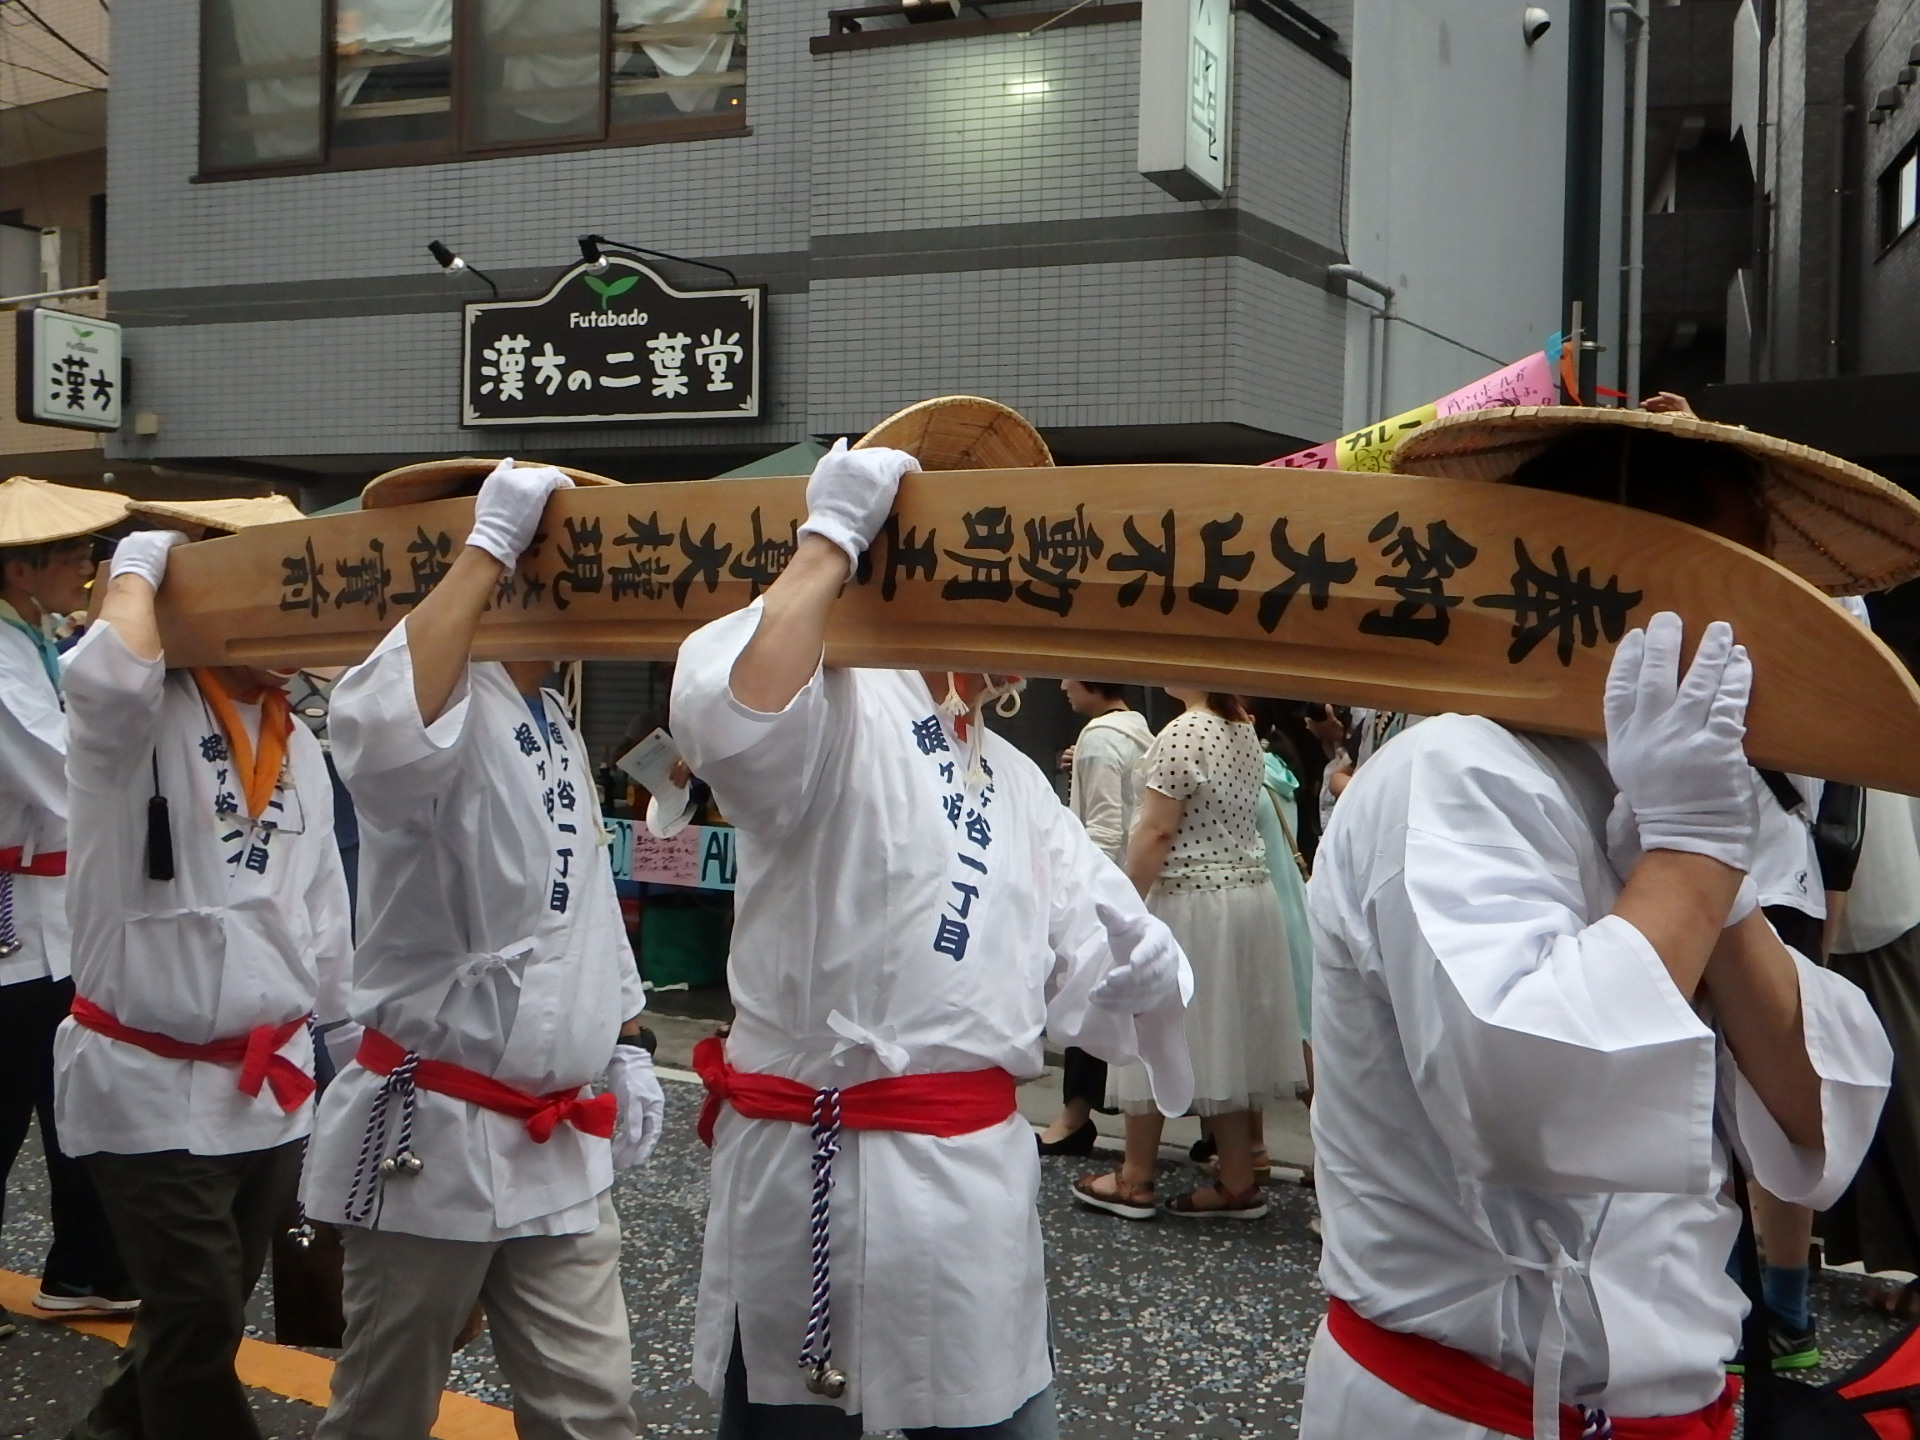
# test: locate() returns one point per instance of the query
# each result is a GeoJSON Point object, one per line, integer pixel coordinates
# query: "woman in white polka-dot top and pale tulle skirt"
{"type": "Point", "coordinates": [1197, 857]}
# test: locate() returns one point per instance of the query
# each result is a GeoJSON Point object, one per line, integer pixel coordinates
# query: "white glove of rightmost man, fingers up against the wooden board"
{"type": "Point", "coordinates": [1675, 744]}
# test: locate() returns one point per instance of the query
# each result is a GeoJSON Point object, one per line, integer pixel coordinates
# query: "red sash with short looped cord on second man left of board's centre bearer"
{"type": "Point", "coordinates": [404, 1074]}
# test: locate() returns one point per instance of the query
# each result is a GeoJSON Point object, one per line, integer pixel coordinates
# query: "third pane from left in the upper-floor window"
{"type": "Point", "coordinates": [539, 72]}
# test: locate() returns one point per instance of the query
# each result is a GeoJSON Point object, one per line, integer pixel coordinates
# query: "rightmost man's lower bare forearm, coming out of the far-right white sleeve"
{"type": "Point", "coordinates": [1756, 996]}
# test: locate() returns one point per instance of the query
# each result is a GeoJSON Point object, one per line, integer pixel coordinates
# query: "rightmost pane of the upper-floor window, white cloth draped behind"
{"type": "Point", "coordinates": [673, 59]}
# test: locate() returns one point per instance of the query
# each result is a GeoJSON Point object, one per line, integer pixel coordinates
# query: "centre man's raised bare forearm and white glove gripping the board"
{"type": "Point", "coordinates": [848, 500]}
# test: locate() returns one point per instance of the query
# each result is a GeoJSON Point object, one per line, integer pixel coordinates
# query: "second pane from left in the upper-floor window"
{"type": "Point", "coordinates": [393, 74]}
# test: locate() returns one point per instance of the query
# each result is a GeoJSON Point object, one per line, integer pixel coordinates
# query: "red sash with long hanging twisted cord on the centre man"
{"type": "Point", "coordinates": [946, 1105]}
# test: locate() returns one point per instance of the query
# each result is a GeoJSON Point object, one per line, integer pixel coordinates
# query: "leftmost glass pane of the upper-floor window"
{"type": "Point", "coordinates": [260, 85]}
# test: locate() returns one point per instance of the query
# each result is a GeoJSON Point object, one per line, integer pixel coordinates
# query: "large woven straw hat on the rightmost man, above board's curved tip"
{"type": "Point", "coordinates": [1833, 523]}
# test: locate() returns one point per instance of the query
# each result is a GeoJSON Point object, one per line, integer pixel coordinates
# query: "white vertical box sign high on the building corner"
{"type": "Point", "coordinates": [1188, 97]}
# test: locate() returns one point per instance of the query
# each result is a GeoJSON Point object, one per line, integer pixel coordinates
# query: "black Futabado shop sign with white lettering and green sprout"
{"type": "Point", "coordinates": [615, 347]}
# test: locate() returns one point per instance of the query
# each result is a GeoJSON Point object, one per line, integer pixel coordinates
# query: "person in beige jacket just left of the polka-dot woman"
{"type": "Point", "coordinates": [1105, 796]}
